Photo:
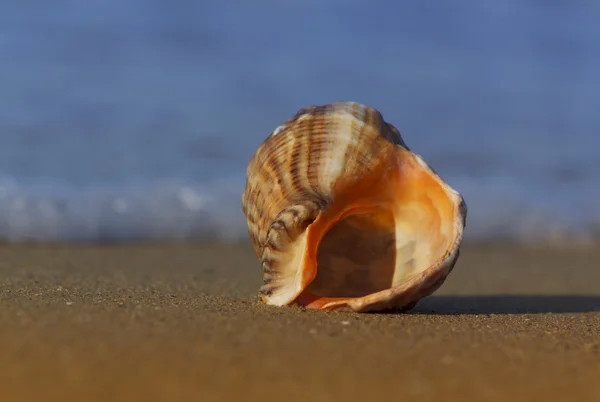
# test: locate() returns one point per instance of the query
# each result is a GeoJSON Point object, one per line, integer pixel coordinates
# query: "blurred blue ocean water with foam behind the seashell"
{"type": "Point", "coordinates": [135, 119]}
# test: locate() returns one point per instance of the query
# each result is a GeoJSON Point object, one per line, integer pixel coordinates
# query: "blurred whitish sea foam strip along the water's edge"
{"type": "Point", "coordinates": [178, 210]}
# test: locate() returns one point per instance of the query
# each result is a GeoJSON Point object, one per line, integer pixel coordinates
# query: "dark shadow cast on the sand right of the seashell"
{"type": "Point", "coordinates": [506, 304]}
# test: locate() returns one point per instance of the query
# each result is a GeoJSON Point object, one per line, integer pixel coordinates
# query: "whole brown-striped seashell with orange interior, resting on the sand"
{"type": "Point", "coordinates": [342, 214]}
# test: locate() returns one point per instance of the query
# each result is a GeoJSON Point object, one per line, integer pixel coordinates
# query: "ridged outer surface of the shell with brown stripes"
{"type": "Point", "coordinates": [292, 176]}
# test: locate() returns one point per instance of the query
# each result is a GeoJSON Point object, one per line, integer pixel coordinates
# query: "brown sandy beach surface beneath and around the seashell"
{"type": "Point", "coordinates": [168, 322]}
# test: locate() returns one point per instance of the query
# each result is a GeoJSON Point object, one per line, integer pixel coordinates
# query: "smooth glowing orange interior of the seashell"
{"type": "Point", "coordinates": [390, 226]}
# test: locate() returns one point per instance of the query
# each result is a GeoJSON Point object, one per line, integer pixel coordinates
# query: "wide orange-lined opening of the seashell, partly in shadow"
{"type": "Point", "coordinates": [405, 229]}
